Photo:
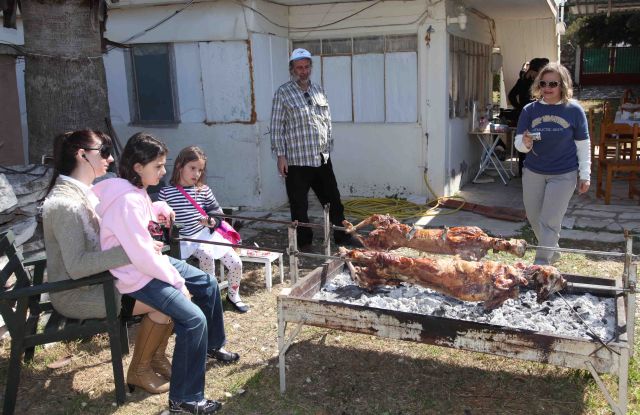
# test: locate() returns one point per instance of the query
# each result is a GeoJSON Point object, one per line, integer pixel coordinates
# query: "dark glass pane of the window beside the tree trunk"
{"type": "Point", "coordinates": [152, 73]}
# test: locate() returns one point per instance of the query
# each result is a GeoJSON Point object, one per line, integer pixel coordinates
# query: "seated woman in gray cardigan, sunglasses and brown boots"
{"type": "Point", "coordinates": [71, 235]}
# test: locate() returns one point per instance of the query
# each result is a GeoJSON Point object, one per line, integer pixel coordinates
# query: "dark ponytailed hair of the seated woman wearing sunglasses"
{"type": "Point", "coordinates": [66, 146]}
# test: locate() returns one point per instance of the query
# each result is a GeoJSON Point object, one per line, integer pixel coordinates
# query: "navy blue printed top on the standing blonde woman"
{"type": "Point", "coordinates": [559, 126]}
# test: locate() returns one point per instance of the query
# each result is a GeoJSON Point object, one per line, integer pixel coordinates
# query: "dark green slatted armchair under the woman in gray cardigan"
{"type": "Point", "coordinates": [24, 312]}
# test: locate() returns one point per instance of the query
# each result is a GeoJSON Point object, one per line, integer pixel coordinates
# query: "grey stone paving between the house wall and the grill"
{"type": "Point", "coordinates": [587, 218]}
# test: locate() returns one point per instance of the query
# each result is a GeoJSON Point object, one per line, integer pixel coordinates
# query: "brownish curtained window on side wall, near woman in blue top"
{"type": "Point", "coordinates": [470, 79]}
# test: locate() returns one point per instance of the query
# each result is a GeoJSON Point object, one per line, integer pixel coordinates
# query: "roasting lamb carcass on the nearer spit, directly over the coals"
{"type": "Point", "coordinates": [490, 282]}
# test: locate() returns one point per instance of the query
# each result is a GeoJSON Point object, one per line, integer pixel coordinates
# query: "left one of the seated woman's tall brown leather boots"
{"type": "Point", "coordinates": [140, 373]}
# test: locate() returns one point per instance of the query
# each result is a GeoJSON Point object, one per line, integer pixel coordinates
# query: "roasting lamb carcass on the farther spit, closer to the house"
{"type": "Point", "coordinates": [469, 242]}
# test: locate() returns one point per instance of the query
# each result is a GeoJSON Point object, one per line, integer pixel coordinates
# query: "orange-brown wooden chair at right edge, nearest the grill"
{"type": "Point", "coordinates": [618, 136]}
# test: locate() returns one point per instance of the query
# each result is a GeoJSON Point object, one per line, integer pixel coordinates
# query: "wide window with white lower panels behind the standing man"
{"type": "Point", "coordinates": [368, 79]}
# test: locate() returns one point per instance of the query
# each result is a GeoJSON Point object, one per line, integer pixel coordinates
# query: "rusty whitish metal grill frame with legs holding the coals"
{"type": "Point", "coordinates": [296, 305]}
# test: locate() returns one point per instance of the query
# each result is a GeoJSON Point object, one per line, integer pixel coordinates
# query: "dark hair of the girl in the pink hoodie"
{"type": "Point", "coordinates": [141, 148]}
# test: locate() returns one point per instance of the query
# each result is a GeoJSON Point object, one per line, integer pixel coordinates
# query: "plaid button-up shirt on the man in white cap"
{"type": "Point", "coordinates": [301, 126]}
